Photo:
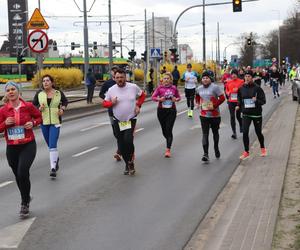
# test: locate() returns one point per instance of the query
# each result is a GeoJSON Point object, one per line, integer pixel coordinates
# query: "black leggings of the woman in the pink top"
{"type": "Point", "coordinates": [167, 119]}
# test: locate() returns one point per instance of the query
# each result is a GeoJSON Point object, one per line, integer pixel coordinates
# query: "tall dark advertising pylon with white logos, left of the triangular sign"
{"type": "Point", "coordinates": [17, 20]}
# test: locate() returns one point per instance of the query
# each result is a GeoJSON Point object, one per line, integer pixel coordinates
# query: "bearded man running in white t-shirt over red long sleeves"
{"type": "Point", "coordinates": [122, 98]}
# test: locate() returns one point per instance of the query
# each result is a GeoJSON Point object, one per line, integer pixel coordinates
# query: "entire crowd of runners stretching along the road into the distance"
{"type": "Point", "coordinates": [242, 90]}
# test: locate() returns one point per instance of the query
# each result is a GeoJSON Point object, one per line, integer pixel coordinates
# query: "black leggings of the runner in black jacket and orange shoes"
{"type": "Point", "coordinates": [258, 130]}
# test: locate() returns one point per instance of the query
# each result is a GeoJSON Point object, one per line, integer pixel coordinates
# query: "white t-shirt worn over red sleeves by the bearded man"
{"type": "Point", "coordinates": [124, 110]}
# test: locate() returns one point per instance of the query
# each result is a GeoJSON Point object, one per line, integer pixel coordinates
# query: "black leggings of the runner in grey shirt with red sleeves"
{"type": "Point", "coordinates": [214, 124]}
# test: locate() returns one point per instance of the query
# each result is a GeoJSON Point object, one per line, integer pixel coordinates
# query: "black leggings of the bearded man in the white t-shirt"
{"type": "Point", "coordinates": [125, 141]}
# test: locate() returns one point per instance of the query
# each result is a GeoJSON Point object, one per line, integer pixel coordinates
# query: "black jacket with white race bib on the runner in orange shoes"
{"type": "Point", "coordinates": [246, 92]}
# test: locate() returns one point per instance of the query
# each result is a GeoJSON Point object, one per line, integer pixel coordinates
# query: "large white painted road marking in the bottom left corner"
{"type": "Point", "coordinates": [11, 236]}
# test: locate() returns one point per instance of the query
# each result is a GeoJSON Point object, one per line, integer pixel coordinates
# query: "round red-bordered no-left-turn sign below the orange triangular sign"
{"type": "Point", "coordinates": [38, 41]}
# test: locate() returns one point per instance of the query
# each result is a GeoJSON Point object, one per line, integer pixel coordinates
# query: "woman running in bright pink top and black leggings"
{"type": "Point", "coordinates": [167, 94]}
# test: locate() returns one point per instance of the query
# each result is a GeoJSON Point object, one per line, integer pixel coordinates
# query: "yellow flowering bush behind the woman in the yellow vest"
{"type": "Point", "coordinates": [63, 78]}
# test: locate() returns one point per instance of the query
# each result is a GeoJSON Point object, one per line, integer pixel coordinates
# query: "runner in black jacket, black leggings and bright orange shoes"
{"type": "Point", "coordinates": [251, 97]}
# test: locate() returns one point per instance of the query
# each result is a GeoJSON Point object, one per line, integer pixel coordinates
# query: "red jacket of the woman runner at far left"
{"type": "Point", "coordinates": [27, 112]}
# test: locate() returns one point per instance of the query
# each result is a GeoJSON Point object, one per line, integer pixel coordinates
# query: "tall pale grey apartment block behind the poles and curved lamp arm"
{"type": "Point", "coordinates": [161, 35]}
